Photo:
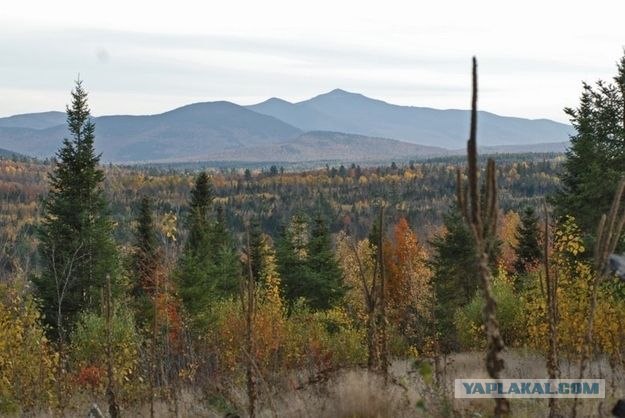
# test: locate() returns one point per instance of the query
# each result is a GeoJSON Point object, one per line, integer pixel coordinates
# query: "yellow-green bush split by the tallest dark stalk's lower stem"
{"type": "Point", "coordinates": [469, 319]}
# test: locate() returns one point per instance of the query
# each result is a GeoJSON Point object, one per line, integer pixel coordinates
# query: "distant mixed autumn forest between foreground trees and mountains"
{"type": "Point", "coordinates": [347, 197]}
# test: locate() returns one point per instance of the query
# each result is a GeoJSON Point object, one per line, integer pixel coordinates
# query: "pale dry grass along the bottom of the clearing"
{"type": "Point", "coordinates": [356, 393]}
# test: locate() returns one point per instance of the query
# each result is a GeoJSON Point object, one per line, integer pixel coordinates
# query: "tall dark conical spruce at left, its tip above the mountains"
{"type": "Point", "coordinates": [76, 244]}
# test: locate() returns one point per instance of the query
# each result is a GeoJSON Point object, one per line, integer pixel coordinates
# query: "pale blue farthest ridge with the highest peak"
{"type": "Point", "coordinates": [342, 111]}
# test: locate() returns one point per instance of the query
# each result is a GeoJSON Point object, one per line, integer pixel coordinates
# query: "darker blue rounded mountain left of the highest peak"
{"type": "Point", "coordinates": [182, 133]}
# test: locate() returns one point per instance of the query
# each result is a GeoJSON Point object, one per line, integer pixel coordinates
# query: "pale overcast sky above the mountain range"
{"type": "Point", "coordinates": [145, 57]}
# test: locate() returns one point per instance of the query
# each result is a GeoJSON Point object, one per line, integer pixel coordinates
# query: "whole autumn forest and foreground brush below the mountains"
{"type": "Point", "coordinates": [338, 291]}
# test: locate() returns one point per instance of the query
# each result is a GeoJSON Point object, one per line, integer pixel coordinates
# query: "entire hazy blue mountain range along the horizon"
{"type": "Point", "coordinates": [338, 126]}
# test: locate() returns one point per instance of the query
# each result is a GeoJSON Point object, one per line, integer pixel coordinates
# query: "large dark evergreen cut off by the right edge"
{"type": "Point", "coordinates": [595, 161]}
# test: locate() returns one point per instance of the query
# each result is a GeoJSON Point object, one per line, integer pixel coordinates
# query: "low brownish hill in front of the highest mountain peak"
{"type": "Point", "coordinates": [335, 146]}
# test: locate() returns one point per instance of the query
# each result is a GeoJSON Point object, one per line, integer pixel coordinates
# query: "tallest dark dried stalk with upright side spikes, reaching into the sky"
{"type": "Point", "coordinates": [482, 220]}
